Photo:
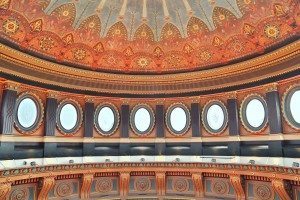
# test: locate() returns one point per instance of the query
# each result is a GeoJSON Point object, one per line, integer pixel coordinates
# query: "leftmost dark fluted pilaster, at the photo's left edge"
{"type": "Point", "coordinates": [7, 111]}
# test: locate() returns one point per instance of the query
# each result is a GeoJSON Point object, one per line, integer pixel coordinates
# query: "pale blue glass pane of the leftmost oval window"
{"type": "Point", "coordinates": [27, 112]}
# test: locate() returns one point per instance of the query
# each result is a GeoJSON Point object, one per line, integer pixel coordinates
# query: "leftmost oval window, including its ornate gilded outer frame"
{"type": "Point", "coordinates": [28, 114]}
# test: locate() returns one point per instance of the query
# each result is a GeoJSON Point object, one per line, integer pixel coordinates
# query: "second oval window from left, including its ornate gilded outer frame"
{"type": "Point", "coordinates": [69, 117]}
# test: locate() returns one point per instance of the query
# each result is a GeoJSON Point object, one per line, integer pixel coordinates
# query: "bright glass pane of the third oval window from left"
{"type": "Point", "coordinates": [106, 119]}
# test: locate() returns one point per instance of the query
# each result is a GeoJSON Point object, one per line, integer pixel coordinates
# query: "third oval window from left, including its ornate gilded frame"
{"type": "Point", "coordinates": [106, 119]}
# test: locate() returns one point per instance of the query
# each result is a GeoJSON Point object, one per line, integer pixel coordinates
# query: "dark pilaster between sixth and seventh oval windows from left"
{"type": "Point", "coordinates": [233, 118]}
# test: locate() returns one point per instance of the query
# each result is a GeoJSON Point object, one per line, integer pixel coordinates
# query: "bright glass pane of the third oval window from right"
{"type": "Point", "coordinates": [215, 117]}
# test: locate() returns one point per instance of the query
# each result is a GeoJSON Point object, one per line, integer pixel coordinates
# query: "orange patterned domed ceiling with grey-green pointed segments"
{"type": "Point", "coordinates": [148, 36]}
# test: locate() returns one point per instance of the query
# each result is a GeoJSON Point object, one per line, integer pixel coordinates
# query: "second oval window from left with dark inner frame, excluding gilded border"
{"type": "Point", "coordinates": [68, 117]}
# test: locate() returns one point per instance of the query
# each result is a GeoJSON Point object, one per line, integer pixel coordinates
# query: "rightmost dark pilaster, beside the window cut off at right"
{"type": "Point", "coordinates": [274, 115]}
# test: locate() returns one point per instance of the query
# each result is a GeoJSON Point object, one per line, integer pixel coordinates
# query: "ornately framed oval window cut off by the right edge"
{"type": "Point", "coordinates": [292, 107]}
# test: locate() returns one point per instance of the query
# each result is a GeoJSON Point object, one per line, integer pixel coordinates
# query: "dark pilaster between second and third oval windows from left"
{"type": "Point", "coordinates": [88, 119]}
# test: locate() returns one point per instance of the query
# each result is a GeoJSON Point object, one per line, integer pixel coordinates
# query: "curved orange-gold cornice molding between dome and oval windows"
{"type": "Point", "coordinates": [276, 63]}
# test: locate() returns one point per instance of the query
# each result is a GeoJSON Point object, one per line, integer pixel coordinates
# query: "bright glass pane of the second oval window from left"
{"type": "Point", "coordinates": [68, 116]}
